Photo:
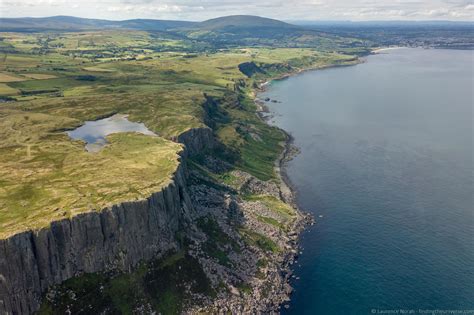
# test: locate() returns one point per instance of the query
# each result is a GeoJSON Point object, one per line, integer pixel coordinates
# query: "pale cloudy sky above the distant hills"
{"type": "Point", "coordinates": [198, 10]}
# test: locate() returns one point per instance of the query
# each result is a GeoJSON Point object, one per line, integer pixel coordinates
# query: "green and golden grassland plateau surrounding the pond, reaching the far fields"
{"type": "Point", "coordinates": [153, 78]}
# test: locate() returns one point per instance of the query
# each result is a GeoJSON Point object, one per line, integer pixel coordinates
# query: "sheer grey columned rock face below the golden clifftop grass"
{"type": "Point", "coordinates": [118, 237]}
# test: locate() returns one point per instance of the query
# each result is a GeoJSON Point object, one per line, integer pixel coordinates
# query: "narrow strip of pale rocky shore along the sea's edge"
{"type": "Point", "coordinates": [279, 295]}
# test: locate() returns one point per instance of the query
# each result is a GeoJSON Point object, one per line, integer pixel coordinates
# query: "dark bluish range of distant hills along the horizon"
{"type": "Point", "coordinates": [222, 32]}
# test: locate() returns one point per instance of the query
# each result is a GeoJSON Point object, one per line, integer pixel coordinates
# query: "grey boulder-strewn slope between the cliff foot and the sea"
{"type": "Point", "coordinates": [255, 276]}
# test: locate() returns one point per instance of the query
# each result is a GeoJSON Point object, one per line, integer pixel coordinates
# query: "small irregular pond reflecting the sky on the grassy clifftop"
{"type": "Point", "coordinates": [94, 132]}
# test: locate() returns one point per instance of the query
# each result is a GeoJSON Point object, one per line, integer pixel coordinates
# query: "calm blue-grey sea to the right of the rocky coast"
{"type": "Point", "coordinates": [386, 167]}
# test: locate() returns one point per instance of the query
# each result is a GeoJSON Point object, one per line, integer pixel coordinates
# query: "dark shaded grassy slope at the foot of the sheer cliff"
{"type": "Point", "coordinates": [164, 284]}
